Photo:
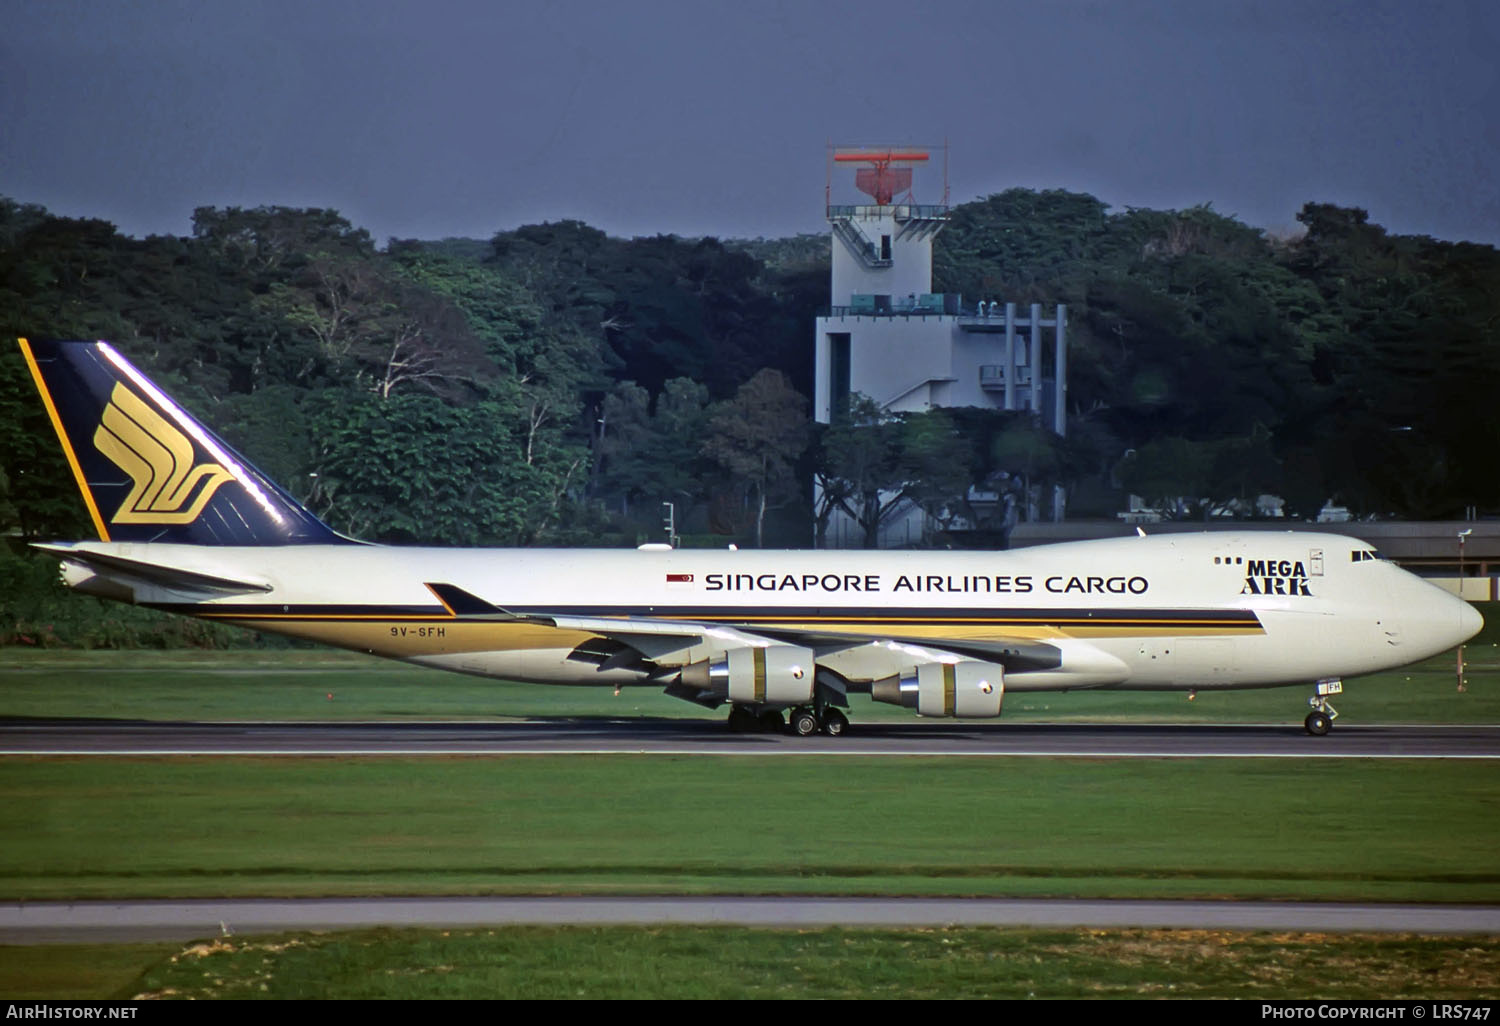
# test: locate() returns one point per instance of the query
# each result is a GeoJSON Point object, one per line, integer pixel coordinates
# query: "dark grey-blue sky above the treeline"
{"type": "Point", "coordinates": [463, 118]}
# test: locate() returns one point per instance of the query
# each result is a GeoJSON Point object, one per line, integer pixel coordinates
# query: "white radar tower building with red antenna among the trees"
{"type": "Point", "coordinates": [889, 337]}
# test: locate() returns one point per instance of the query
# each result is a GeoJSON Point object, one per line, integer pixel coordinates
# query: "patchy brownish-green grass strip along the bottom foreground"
{"type": "Point", "coordinates": [707, 962]}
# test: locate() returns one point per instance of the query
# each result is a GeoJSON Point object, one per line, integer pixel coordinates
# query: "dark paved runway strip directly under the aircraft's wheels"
{"type": "Point", "coordinates": [712, 737]}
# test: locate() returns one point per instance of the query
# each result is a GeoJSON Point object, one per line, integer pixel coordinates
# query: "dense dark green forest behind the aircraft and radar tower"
{"type": "Point", "coordinates": [556, 386]}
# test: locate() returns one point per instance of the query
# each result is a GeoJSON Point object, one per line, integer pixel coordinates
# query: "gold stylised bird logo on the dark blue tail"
{"type": "Point", "coordinates": [160, 461]}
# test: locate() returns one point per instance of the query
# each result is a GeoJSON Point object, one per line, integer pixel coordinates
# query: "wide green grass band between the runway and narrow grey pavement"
{"type": "Point", "coordinates": [794, 826]}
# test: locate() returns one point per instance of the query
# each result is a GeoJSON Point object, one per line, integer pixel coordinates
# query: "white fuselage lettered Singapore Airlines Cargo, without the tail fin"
{"type": "Point", "coordinates": [1208, 611]}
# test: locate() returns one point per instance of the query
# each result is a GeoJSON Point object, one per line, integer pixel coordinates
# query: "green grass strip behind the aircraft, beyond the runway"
{"type": "Point", "coordinates": [317, 685]}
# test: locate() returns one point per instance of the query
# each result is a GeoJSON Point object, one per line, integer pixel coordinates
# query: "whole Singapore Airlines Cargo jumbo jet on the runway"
{"type": "Point", "coordinates": [188, 526]}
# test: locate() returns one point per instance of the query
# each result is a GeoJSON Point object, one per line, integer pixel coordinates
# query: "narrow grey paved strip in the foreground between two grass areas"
{"type": "Point", "coordinates": [121, 922]}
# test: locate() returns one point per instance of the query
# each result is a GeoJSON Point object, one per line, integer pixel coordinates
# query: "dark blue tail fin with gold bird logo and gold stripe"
{"type": "Point", "coordinates": [149, 472]}
